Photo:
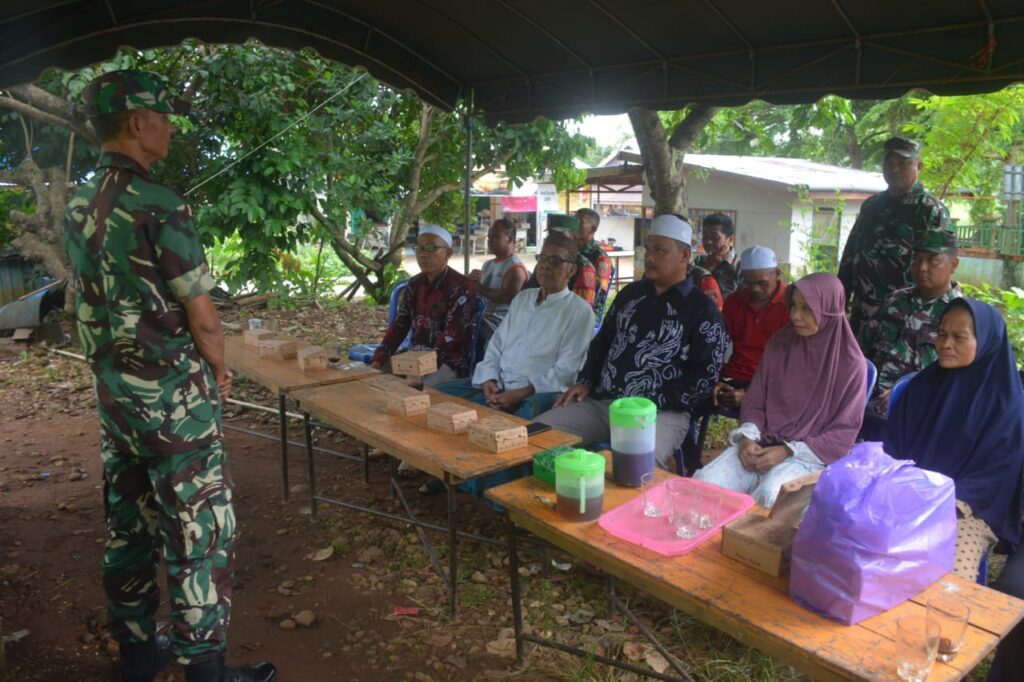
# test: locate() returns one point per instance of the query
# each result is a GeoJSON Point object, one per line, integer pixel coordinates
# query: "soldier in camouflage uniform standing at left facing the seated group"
{"type": "Point", "coordinates": [155, 345]}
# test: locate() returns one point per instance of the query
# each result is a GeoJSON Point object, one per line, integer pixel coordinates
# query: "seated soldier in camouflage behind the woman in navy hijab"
{"type": "Point", "coordinates": [902, 338]}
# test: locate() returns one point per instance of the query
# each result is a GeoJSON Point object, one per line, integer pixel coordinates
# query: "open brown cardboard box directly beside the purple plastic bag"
{"type": "Point", "coordinates": [765, 543]}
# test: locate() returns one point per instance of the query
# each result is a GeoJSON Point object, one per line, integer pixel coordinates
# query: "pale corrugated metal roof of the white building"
{"type": "Point", "coordinates": [791, 173]}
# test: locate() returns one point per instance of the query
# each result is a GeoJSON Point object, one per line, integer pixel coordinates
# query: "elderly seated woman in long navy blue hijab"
{"type": "Point", "coordinates": [963, 416]}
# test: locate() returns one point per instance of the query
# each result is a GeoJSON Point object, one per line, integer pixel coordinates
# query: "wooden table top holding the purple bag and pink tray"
{"type": "Point", "coordinates": [754, 608]}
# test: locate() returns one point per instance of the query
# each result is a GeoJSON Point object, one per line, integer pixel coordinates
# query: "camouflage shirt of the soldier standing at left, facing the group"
{"type": "Point", "coordinates": [138, 260]}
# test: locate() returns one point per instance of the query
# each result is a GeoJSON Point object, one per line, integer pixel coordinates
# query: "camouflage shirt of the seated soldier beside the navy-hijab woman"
{"type": "Point", "coordinates": [902, 338]}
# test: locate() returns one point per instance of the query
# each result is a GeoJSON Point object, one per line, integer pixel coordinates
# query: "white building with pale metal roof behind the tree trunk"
{"type": "Point", "coordinates": [801, 209]}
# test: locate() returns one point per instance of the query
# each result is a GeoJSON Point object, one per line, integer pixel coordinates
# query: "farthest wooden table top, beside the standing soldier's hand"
{"type": "Point", "coordinates": [285, 376]}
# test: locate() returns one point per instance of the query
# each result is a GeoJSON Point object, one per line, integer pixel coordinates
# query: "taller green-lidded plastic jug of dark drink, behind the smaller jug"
{"type": "Point", "coordinates": [632, 422]}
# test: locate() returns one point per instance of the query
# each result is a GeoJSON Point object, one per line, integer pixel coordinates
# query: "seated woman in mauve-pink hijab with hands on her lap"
{"type": "Point", "coordinates": [806, 401]}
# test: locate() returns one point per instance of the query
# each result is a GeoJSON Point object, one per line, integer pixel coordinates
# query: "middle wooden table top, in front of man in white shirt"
{"type": "Point", "coordinates": [361, 411]}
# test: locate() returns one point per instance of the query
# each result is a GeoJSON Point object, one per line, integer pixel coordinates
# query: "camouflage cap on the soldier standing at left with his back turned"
{"type": "Point", "coordinates": [129, 91]}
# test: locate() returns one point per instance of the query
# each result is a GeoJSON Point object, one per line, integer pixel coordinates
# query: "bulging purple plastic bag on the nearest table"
{"type": "Point", "coordinates": [878, 532]}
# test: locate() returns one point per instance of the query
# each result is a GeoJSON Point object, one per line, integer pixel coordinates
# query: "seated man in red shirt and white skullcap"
{"type": "Point", "coordinates": [752, 315]}
